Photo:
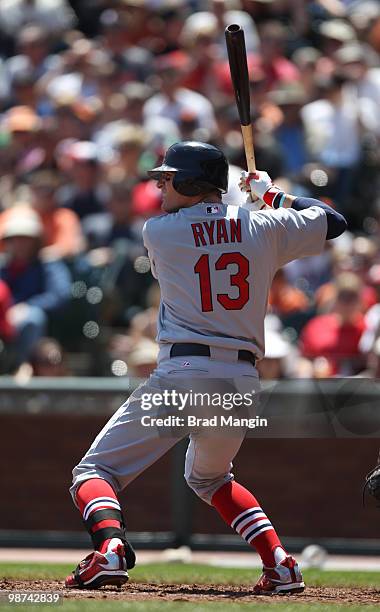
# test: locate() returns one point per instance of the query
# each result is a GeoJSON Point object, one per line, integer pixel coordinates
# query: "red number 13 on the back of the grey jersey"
{"type": "Point", "coordinates": [239, 280]}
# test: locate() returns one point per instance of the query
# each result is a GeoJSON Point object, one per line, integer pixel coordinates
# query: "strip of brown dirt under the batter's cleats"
{"type": "Point", "coordinates": [195, 592]}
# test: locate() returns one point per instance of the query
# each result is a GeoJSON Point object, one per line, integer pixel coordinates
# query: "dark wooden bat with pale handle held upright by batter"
{"type": "Point", "coordinates": [237, 57]}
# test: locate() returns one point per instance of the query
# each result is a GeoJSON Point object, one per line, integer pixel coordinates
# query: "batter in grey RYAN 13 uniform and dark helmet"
{"type": "Point", "coordinates": [214, 264]}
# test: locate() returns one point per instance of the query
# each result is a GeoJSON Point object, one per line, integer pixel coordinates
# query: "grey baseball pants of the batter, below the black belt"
{"type": "Point", "coordinates": [124, 448]}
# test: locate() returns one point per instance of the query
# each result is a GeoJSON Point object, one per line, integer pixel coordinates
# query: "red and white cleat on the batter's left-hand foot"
{"type": "Point", "coordinates": [100, 569]}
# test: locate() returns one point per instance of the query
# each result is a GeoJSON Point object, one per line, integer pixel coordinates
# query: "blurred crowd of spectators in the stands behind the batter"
{"type": "Point", "coordinates": [92, 92]}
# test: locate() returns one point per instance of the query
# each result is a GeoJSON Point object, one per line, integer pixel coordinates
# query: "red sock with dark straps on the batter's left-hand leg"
{"type": "Point", "coordinates": [95, 495]}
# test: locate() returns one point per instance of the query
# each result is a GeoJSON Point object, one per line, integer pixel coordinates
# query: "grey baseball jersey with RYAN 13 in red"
{"type": "Point", "coordinates": [215, 264]}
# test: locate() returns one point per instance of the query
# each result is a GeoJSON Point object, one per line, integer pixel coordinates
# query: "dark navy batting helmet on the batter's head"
{"type": "Point", "coordinates": [199, 168]}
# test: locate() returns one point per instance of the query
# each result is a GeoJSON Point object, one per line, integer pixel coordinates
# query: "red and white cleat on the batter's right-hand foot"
{"type": "Point", "coordinates": [284, 578]}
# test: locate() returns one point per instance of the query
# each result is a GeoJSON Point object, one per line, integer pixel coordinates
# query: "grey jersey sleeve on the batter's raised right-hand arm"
{"type": "Point", "coordinates": [296, 234]}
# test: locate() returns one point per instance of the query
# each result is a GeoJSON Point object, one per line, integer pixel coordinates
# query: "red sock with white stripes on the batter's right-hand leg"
{"type": "Point", "coordinates": [241, 510]}
